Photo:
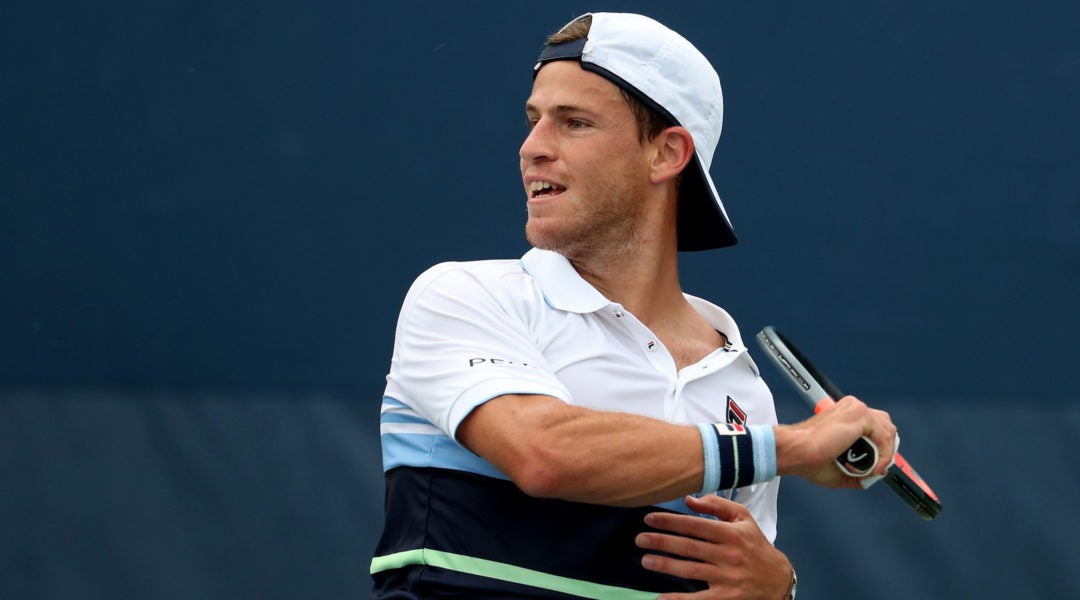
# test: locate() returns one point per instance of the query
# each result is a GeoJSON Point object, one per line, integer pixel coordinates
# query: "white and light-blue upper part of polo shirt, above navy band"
{"type": "Point", "coordinates": [471, 332]}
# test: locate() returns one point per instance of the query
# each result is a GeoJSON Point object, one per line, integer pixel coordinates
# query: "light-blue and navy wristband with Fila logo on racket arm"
{"type": "Point", "coordinates": [737, 456]}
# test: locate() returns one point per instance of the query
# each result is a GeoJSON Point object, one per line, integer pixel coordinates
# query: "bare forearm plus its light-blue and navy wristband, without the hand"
{"type": "Point", "coordinates": [551, 449]}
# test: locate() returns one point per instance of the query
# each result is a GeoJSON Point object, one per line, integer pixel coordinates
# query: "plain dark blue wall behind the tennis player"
{"type": "Point", "coordinates": [210, 213]}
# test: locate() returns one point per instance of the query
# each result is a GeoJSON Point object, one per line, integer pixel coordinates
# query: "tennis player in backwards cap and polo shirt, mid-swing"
{"type": "Point", "coordinates": [557, 427]}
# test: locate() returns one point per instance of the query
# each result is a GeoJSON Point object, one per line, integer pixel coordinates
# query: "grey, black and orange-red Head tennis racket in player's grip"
{"type": "Point", "coordinates": [820, 393]}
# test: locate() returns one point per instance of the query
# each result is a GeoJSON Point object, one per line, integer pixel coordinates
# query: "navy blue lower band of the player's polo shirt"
{"type": "Point", "coordinates": [492, 521]}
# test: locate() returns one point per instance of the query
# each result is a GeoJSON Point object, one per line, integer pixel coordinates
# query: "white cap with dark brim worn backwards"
{"type": "Point", "coordinates": [664, 71]}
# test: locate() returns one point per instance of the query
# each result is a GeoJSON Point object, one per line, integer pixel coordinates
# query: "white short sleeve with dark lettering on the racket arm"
{"type": "Point", "coordinates": [464, 338]}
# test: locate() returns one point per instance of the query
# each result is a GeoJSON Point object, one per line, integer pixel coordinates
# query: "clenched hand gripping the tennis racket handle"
{"type": "Point", "coordinates": [811, 448]}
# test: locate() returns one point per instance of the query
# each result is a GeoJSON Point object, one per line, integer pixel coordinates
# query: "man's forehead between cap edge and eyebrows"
{"type": "Point", "coordinates": [566, 84]}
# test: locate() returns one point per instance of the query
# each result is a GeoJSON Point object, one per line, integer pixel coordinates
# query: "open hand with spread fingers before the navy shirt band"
{"type": "Point", "coordinates": [732, 555]}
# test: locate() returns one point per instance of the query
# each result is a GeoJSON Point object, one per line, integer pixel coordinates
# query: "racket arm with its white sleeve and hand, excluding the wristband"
{"type": "Point", "coordinates": [548, 447]}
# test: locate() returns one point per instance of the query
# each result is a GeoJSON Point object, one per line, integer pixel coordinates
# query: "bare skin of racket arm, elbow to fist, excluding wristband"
{"type": "Point", "coordinates": [552, 449]}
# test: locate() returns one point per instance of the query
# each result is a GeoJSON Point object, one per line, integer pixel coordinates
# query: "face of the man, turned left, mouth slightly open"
{"type": "Point", "coordinates": [585, 169]}
